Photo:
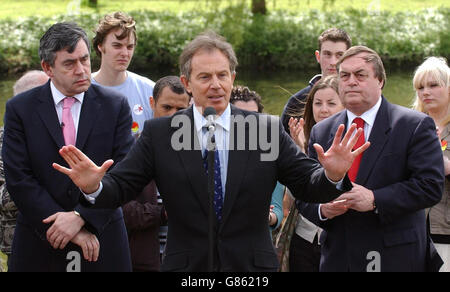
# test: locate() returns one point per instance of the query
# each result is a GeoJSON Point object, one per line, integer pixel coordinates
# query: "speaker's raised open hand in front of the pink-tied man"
{"type": "Point", "coordinates": [83, 172]}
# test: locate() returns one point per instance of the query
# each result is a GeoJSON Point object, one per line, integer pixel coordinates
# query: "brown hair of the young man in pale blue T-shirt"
{"type": "Point", "coordinates": [117, 20]}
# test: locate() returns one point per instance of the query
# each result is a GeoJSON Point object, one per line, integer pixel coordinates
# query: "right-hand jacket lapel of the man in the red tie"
{"type": "Point", "coordinates": [378, 138]}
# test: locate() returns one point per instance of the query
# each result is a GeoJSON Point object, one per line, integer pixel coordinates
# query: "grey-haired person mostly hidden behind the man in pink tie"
{"type": "Point", "coordinates": [8, 210]}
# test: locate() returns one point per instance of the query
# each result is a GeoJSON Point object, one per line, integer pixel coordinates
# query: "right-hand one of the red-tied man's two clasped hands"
{"type": "Point", "coordinates": [359, 199]}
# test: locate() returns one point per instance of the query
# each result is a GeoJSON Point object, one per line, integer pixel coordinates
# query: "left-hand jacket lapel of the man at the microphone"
{"type": "Point", "coordinates": [192, 162]}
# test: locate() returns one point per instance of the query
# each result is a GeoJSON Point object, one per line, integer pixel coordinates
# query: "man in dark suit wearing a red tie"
{"type": "Point", "coordinates": [380, 224]}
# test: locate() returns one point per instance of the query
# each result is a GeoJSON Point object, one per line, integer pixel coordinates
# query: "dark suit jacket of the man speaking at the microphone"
{"type": "Point", "coordinates": [242, 239]}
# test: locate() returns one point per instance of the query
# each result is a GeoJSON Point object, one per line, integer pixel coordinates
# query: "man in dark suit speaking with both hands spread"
{"type": "Point", "coordinates": [170, 151]}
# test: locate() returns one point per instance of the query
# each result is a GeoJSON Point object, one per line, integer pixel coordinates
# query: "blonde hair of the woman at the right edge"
{"type": "Point", "coordinates": [436, 69]}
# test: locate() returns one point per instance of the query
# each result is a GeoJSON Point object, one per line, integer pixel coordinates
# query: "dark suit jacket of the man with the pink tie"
{"type": "Point", "coordinates": [33, 137]}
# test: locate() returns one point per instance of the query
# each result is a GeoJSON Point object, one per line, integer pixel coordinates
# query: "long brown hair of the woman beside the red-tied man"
{"type": "Point", "coordinates": [330, 81]}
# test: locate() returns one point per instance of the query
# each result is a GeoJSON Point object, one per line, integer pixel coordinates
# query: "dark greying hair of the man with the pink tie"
{"type": "Point", "coordinates": [60, 36]}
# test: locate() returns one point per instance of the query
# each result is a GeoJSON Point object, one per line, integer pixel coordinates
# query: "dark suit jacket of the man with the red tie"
{"type": "Point", "coordinates": [404, 169]}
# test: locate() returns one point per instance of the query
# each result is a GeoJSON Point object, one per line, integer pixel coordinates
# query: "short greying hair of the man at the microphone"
{"type": "Point", "coordinates": [208, 41]}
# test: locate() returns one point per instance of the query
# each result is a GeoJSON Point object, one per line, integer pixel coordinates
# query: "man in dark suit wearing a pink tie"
{"type": "Point", "coordinates": [53, 228]}
